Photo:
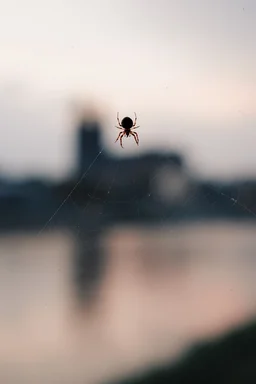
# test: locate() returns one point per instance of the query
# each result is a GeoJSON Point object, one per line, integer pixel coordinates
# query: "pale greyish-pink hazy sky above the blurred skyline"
{"type": "Point", "coordinates": [187, 67]}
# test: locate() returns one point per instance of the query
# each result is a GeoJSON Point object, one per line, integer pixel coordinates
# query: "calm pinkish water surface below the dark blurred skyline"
{"type": "Point", "coordinates": [156, 291]}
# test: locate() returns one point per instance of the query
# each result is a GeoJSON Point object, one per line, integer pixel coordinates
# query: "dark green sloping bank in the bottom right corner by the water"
{"type": "Point", "coordinates": [231, 359]}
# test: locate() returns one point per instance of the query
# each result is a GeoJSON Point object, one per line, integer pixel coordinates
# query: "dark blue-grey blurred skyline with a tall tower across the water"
{"type": "Point", "coordinates": [105, 190]}
